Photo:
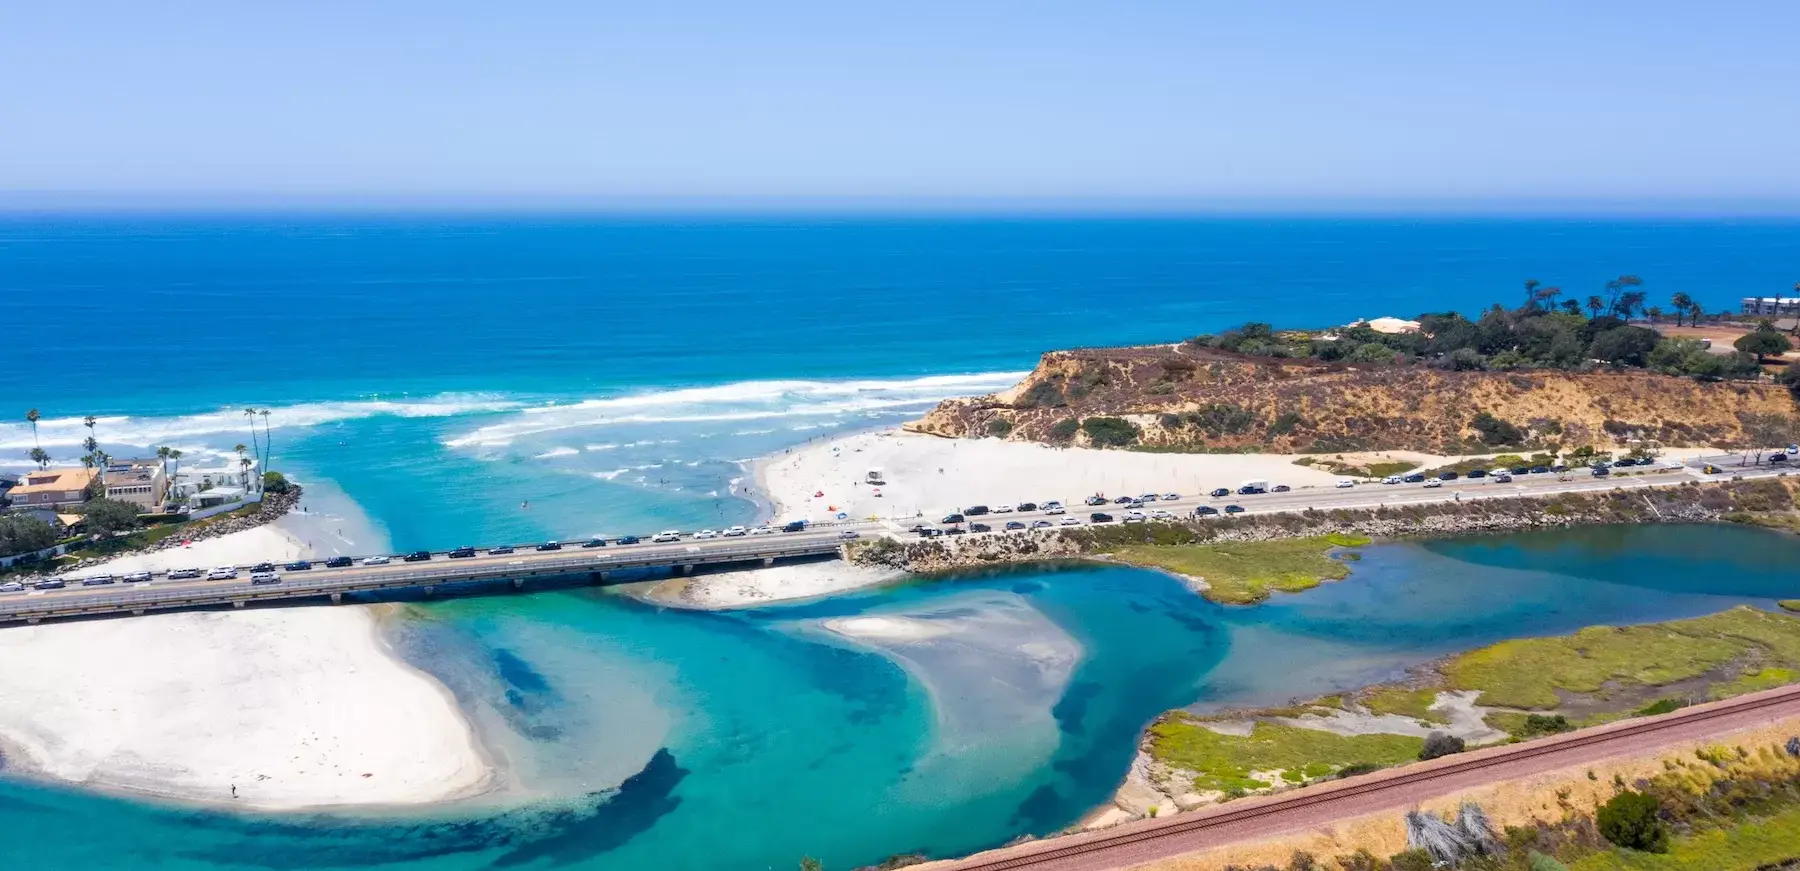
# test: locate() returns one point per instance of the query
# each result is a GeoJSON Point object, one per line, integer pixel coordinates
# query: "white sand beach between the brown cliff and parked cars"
{"type": "Point", "coordinates": [933, 476]}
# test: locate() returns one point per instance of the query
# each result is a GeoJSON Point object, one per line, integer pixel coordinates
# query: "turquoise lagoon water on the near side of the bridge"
{"type": "Point", "coordinates": [746, 741]}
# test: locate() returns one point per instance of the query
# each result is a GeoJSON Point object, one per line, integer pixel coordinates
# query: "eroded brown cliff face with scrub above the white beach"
{"type": "Point", "coordinates": [1183, 399]}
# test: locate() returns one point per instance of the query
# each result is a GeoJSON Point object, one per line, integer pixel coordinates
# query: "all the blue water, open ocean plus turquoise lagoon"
{"type": "Point", "coordinates": [436, 377]}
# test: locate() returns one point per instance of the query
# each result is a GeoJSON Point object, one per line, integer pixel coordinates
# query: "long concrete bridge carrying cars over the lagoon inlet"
{"type": "Point", "coordinates": [427, 577]}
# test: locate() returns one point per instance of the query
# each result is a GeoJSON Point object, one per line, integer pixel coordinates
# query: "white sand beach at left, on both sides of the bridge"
{"type": "Point", "coordinates": [294, 706]}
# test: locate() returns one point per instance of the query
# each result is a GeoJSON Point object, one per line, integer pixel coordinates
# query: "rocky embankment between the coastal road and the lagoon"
{"type": "Point", "coordinates": [1682, 505]}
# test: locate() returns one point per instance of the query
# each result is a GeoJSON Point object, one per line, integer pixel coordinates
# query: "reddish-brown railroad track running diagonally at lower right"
{"type": "Point", "coordinates": [1425, 773]}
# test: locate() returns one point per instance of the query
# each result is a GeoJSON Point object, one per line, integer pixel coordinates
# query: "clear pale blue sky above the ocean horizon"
{"type": "Point", "coordinates": [922, 102]}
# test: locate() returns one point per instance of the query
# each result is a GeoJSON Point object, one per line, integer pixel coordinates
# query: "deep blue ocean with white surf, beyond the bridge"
{"type": "Point", "coordinates": [471, 379]}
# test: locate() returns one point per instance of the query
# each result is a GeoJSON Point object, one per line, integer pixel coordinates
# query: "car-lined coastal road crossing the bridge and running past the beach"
{"type": "Point", "coordinates": [762, 550]}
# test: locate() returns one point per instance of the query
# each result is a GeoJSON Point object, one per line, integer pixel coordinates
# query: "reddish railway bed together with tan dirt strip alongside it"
{"type": "Point", "coordinates": [1389, 791]}
